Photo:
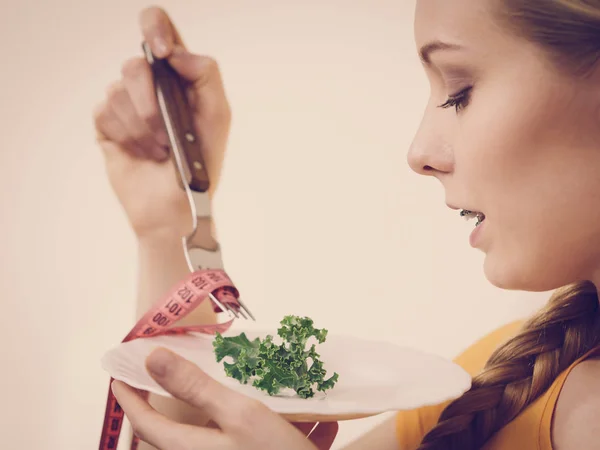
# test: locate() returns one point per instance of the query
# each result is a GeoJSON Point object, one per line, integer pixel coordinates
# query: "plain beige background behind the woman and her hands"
{"type": "Point", "coordinates": [326, 96]}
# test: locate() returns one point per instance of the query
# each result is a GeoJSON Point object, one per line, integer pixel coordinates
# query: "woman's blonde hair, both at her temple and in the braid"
{"type": "Point", "coordinates": [522, 369]}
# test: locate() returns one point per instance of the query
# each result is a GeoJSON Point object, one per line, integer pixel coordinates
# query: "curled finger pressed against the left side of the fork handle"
{"type": "Point", "coordinates": [139, 83]}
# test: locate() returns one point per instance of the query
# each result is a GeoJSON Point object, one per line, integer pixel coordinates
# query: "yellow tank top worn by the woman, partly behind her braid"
{"type": "Point", "coordinates": [531, 430]}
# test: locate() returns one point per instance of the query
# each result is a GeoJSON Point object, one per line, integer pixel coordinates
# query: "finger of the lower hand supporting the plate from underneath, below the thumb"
{"type": "Point", "coordinates": [157, 430]}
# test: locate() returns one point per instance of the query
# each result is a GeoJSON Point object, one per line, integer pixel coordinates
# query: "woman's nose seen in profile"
{"type": "Point", "coordinates": [430, 154]}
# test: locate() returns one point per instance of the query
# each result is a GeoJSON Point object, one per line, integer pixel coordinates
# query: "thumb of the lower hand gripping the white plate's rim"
{"type": "Point", "coordinates": [185, 381]}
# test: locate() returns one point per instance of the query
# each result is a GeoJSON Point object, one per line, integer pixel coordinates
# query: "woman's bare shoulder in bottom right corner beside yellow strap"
{"type": "Point", "coordinates": [576, 423]}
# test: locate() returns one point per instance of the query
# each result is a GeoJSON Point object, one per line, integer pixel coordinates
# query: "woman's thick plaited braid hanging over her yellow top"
{"type": "Point", "coordinates": [521, 370]}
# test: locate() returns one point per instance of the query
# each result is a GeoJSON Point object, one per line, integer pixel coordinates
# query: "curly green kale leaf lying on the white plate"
{"type": "Point", "coordinates": [272, 367]}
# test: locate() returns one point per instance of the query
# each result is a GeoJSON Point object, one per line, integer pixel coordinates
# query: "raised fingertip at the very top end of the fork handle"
{"type": "Point", "coordinates": [158, 31]}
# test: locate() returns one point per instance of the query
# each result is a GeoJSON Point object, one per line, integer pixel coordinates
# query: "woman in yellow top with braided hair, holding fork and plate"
{"type": "Point", "coordinates": [512, 131]}
